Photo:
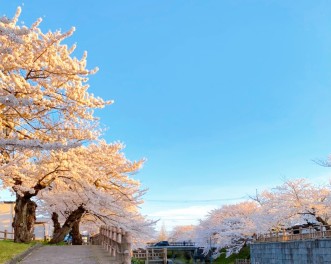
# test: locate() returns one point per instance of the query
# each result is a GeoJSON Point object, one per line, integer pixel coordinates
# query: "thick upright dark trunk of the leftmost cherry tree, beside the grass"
{"type": "Point", "coordinates": [24, 219]}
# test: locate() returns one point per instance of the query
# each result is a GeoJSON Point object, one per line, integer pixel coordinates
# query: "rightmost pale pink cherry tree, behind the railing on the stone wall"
{"type": "Point", "coordinates": [295, 201]}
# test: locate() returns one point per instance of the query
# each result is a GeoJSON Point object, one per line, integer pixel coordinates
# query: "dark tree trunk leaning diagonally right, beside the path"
{"type": "Point", "coordinates": [67, 226]}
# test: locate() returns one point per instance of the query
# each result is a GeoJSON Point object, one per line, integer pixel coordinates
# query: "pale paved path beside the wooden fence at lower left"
{"type": "Point", "coordinates": [68, 255]}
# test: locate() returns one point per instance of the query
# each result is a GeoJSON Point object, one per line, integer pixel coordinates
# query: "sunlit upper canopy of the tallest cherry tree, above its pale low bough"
{"type": "Point", "coordinates": [44, 98]}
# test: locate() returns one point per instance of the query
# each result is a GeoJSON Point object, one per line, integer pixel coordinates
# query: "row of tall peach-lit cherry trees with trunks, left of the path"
{"type": "Point", "coordinates": [51, 153]}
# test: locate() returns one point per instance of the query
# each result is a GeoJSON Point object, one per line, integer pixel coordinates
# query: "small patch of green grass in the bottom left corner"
{"type": "Point", "coordinates": [9, 249]}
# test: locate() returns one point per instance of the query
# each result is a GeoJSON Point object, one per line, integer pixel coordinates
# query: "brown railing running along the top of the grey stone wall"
{"type": "Point", "coordinates": [293, 234]}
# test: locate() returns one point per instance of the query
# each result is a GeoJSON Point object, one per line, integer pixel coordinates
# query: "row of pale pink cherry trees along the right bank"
{"type": "Point", "coordinates": [232, 226]}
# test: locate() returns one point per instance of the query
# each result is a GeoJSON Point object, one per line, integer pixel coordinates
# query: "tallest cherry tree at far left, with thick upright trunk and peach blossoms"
{"type": "Point", "coordinates": [44, 106]}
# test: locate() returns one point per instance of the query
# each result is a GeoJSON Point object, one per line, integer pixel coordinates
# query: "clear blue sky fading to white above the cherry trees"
{"type": "Point", "coordinates": [221, 97]}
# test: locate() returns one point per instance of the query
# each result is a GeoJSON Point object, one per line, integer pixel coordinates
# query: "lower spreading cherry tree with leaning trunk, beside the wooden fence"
{"type": "Point", "coordinates": [97, 187]}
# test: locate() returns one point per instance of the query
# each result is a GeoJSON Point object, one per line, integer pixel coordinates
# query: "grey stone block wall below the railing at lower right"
{"type": "Point", "coordinates": [295, 252]}
